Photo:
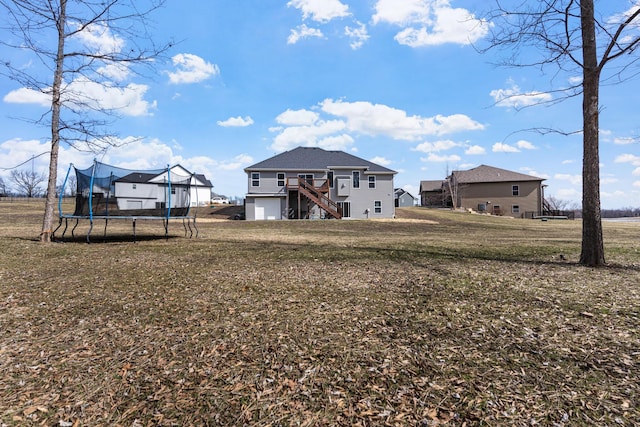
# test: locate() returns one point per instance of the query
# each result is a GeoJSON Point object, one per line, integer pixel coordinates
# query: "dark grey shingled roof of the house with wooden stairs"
{"type": "Point", "coordinates": [314, 158]}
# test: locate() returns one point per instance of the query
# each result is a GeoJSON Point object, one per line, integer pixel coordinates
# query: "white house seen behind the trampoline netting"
{"type": "Point", "coordinates": [139, 190]}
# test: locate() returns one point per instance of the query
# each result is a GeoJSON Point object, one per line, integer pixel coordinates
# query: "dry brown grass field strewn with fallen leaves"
{"type": "Point", "coordinates": [434, 318]}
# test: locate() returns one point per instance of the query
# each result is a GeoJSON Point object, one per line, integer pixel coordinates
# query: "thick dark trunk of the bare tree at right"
{"type": "Point", "coordinates": [592, 241]}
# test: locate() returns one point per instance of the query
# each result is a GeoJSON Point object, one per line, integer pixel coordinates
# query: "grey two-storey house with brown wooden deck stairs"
{"type": "Point", "coordinates": [309, 182]}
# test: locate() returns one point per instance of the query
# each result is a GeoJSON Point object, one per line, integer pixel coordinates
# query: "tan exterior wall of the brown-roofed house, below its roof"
{"type": "Point", "coordinates": [471, 196]}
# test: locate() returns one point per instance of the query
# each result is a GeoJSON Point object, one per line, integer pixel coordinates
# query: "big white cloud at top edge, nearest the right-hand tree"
{"type": "Point", "coordinates": [430, 22]}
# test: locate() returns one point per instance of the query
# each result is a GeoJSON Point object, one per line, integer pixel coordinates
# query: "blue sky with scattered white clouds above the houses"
{"type": "Point", "coordinates": [402, 83]}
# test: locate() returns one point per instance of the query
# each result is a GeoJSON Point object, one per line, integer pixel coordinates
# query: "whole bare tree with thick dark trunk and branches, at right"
{"type": "Point", "coordinates": [571, 38]}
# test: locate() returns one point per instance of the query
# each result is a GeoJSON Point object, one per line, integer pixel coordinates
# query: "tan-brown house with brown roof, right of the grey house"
{"type": "Point", "coordinates": [496, 191]}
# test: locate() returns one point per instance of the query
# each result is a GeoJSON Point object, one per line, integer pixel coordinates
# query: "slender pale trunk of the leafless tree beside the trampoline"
{"type": "Point", "coordinates": [47, 223]}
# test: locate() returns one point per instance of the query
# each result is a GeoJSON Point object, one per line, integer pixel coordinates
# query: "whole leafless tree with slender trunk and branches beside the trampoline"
{"type": "Point", "coordinates": [62, 35]}
